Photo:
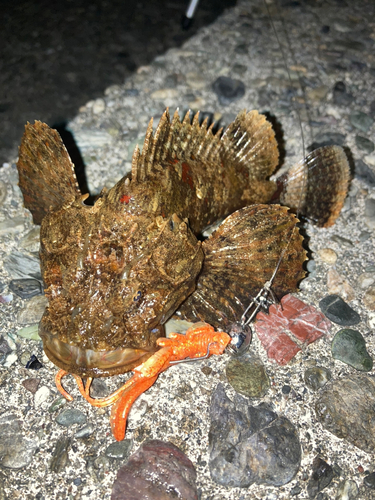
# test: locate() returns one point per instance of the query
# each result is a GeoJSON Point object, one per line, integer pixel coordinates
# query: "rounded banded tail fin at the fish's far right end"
{"type": "Point", "coordinates": [317, 186]}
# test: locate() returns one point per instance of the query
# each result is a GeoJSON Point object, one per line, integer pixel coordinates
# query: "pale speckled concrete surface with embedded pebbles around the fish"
{"type": "Point", "coordinates": [327, 43]}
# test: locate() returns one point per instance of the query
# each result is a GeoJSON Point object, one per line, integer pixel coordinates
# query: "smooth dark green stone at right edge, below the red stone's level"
{"type": "Point", "coordinates": [349, 347]}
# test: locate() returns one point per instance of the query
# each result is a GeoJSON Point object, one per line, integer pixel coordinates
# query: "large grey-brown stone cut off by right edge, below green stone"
{"type": "Point", "coordinates": [346, 408]}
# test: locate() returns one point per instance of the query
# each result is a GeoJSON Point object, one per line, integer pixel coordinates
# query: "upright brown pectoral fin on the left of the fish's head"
{"type": "Point", "coordinates": [46, 172]}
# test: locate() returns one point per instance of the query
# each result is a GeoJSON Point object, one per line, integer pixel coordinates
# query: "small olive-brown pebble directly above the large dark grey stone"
{"type": "Point", "coordinates": [247, 375]}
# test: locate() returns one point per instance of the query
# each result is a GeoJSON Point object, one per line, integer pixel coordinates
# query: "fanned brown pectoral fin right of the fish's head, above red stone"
{"type": "Point", "coordinates": [240, 257]}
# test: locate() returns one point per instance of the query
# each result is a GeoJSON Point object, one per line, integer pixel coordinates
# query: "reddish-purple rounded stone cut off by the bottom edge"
{"type": "Point", "coordinates": [157, 470]}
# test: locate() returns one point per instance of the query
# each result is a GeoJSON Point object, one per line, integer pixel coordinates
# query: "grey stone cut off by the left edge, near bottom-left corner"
{"type": "Point", "coordinates": [16, 451]}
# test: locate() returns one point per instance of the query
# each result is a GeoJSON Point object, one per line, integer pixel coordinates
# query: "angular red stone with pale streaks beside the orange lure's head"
{"type": "Point", "coordinates": [287, 323]}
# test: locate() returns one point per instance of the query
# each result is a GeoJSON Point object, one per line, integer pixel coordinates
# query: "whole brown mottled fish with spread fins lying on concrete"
{"type": "Point", "coordinates": [116, 271]}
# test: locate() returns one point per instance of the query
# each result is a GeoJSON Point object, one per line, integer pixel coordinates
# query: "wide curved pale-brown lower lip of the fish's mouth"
{"type": "Point", "coordinates": [90, 363]}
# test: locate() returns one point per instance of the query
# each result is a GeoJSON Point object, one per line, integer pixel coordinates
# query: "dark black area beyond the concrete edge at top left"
{"type": "Point", "coordinates": [56, 56]}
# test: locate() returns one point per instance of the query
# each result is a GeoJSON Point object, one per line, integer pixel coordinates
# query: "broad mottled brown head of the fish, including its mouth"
{"type": "Point", "coordinates": [112, 279]}
